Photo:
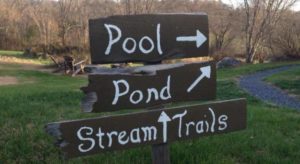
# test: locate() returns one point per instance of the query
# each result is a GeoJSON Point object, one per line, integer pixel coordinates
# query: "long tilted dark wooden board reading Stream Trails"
{"type": "Point", "coordinates": [91, 136]}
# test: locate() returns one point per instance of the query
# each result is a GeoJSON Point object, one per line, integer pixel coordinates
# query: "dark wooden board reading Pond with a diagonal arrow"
{"type": "Point", "coordinates": [148, 86]}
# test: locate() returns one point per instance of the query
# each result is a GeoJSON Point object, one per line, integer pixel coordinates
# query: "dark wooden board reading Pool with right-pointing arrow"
{"type": "Point", "coordinates": [148, 38]}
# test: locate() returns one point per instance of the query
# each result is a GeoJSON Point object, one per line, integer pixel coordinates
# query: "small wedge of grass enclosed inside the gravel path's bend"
{"type": "Point", "coordinates": [287, 80]}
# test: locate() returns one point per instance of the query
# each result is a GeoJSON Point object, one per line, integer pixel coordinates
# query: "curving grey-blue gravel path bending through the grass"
{"type": "Point", "coordinates": [255, 85]}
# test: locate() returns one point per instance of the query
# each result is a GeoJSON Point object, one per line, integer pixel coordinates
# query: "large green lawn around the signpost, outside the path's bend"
{"type": "Point", "coordinates": [272, 135]}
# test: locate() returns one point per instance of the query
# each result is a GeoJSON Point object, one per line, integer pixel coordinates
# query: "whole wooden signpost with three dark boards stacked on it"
{"type": "Point", "coordinates": [148, 39]}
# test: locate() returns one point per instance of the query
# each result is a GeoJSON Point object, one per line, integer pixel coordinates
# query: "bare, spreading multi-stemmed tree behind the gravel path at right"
{"type": "Point", "coordinates": [261, 18]}
